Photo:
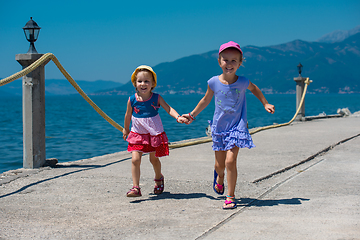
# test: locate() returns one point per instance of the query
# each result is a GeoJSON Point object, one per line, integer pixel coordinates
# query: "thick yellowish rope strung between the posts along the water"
{"type": "Point", "coordinates": [49, 56]}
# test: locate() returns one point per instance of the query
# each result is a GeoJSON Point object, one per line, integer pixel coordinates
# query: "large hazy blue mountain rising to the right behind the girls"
{"type": "Point", "coordinates": [333, 67]}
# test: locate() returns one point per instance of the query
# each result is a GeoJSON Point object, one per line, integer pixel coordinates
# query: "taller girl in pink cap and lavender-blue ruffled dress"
{"type": "Point", "coordinates": [229, 125]}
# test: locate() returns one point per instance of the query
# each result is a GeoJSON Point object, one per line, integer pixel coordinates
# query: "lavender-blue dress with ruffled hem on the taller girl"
{"type": "Point", "coordinates": [229, 124]}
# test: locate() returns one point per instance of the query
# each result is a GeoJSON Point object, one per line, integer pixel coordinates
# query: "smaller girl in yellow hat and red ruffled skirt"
{"type": "Point", "coordinates": [147, 133]}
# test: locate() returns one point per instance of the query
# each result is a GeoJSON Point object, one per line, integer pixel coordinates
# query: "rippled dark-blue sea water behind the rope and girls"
{"type": "Point", "coordinates": [74, 130]}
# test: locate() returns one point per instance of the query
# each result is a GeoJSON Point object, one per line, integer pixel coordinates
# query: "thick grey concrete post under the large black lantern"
{"type": "Point", "coordinates": [34, 155]}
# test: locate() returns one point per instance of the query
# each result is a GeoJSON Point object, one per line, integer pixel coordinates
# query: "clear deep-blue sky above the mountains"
{"type": "Point", "coordinates": [108, 39]}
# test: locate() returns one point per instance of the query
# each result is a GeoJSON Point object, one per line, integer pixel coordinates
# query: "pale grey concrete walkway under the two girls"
{"type": "Point", "coordinates": [318, 199]}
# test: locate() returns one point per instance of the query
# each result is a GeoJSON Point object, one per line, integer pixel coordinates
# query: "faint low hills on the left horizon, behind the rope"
{"type": "Point", "coordinates": [61, 87]}
